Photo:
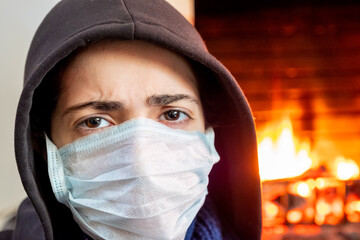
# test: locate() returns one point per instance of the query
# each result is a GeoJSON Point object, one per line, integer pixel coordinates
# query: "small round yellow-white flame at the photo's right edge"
{"type": "Point", "coordinates": [346, 169]}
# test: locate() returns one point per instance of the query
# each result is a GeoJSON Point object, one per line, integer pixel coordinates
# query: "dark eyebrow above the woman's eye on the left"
{"type": "Point", "coordinates": [98, 105]}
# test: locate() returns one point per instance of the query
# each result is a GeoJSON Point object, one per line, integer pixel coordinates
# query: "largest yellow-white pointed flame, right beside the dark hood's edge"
{"type": "Point", "coordinates": [279, 155]}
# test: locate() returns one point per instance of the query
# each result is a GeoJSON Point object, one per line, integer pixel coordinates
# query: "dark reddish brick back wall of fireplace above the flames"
{"type": "Point", "coordinates": [302, 62]}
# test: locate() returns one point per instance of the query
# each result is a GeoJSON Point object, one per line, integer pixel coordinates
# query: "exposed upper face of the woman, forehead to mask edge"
{"type": "Point", "coordinates": [112, 82]}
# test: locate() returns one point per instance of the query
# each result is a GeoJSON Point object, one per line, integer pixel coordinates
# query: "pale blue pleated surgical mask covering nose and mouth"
{"type": "Point", "coordinates": [137, 180]}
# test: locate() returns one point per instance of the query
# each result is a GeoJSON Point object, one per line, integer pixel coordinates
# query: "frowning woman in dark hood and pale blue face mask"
{"type": "Point", "coordinates": [115, 130]}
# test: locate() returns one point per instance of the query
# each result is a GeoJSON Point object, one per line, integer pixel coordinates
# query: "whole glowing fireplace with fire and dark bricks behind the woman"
{"type": "Point", "coordinates": [299, 67]}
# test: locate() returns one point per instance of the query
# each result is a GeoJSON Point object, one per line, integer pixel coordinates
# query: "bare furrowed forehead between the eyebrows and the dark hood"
{"type": "Point", "coordinates": [126, 65]}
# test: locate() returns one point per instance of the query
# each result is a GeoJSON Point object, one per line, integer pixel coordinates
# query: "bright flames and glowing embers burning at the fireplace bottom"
{"type": "Point", "coordinates": [297, 190]}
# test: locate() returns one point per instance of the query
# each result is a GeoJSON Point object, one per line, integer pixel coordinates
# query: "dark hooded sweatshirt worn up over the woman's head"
{"type": "Point", "coordinates": [234, 188]}
